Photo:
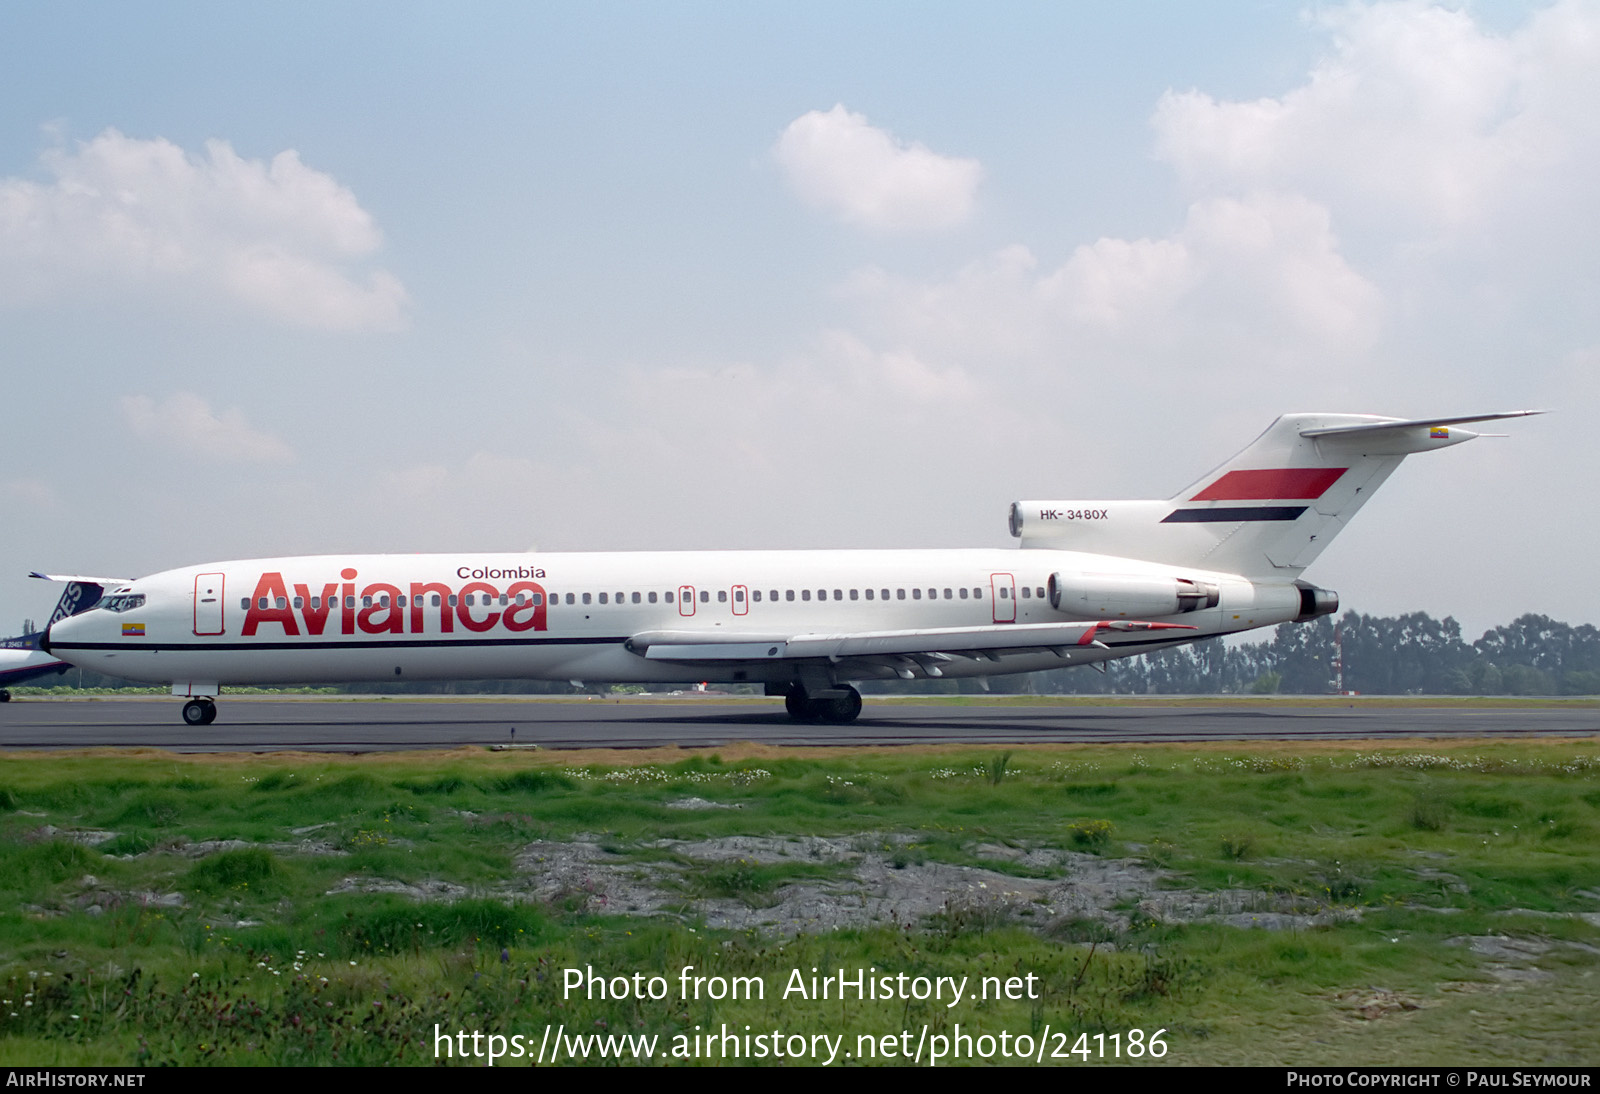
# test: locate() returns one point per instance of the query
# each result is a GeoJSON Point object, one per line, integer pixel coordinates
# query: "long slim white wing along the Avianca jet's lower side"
{"type": "Point", "coordinates": [678, 645]}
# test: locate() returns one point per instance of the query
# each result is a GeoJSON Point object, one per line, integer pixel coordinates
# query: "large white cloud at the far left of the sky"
{"type": "Point", "coordinates": [130, 215]}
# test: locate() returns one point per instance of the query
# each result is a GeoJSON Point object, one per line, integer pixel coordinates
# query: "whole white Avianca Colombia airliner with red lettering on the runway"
{"type": "Point", "coordinates": [1094, 581]}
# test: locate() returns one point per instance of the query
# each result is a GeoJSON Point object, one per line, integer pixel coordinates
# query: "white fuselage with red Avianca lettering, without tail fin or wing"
{"type": "Point", "coordinates": [574, 617]}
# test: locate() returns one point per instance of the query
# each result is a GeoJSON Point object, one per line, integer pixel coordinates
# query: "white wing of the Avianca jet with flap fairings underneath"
{"type": "Point", "coordinates": [903, 652]}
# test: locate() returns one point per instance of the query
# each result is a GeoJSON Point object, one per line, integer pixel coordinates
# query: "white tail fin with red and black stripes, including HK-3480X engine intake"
{"type": "Point", "coordinates": [1265, 514]}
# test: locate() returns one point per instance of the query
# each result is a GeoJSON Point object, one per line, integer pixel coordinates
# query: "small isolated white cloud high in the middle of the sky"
{"type": "Point", "coordinates": [844, 166]}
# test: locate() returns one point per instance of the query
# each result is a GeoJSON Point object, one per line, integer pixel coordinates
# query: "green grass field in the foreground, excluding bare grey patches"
{"type": "Point", "coordinates": [268, 957]}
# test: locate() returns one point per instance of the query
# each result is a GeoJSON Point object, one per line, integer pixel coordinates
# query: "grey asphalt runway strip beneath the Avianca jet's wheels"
{"type": "Point", "coordinates": [250, 724]}
